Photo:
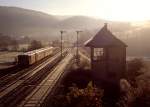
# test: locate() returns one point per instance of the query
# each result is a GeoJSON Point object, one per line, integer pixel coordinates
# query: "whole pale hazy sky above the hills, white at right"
{"type": "Point", "coordinates": [120, 10]}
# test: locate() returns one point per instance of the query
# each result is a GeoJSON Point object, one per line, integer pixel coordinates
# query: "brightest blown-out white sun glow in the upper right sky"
{"type": "Point", "coordinates": [122, 10]}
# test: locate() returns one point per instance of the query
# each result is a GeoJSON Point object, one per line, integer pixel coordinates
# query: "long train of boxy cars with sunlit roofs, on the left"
{"type": "Point", "coordinates": [31, 57]}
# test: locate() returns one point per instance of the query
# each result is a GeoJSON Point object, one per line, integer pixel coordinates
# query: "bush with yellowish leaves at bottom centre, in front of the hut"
{"type": "Point", "coordinates": [87, 97]}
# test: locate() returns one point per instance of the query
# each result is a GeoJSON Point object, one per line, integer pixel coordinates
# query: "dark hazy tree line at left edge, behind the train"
{"type": "Point", "coordinates": [11, 43]}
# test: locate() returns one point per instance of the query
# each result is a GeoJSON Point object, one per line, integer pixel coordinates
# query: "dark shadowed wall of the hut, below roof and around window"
{"type": "Point", "coordinates": [113, 67]}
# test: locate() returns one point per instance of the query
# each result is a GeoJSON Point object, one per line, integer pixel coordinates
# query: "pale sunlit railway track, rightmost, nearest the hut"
{"type": "Point", "coordinates": [37, 97]}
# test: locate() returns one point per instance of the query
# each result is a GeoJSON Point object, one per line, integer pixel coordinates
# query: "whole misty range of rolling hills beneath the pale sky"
{"type": "Point", "coordinates": [18, 21]}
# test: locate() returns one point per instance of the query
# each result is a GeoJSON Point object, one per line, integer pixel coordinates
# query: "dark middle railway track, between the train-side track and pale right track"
{"type": "Point", "coordinates": [24, 85]}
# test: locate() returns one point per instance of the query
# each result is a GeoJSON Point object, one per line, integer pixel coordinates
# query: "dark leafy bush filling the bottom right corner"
{"type": "Point", "coordinates": [135, 97]}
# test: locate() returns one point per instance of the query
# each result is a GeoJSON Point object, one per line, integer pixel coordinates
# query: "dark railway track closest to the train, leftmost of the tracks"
{"type": "Point", "coordinates": [9, 81]}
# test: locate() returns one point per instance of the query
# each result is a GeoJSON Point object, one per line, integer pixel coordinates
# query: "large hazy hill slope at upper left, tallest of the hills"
{"type": "Point", "coordinates": [18, 21]}
